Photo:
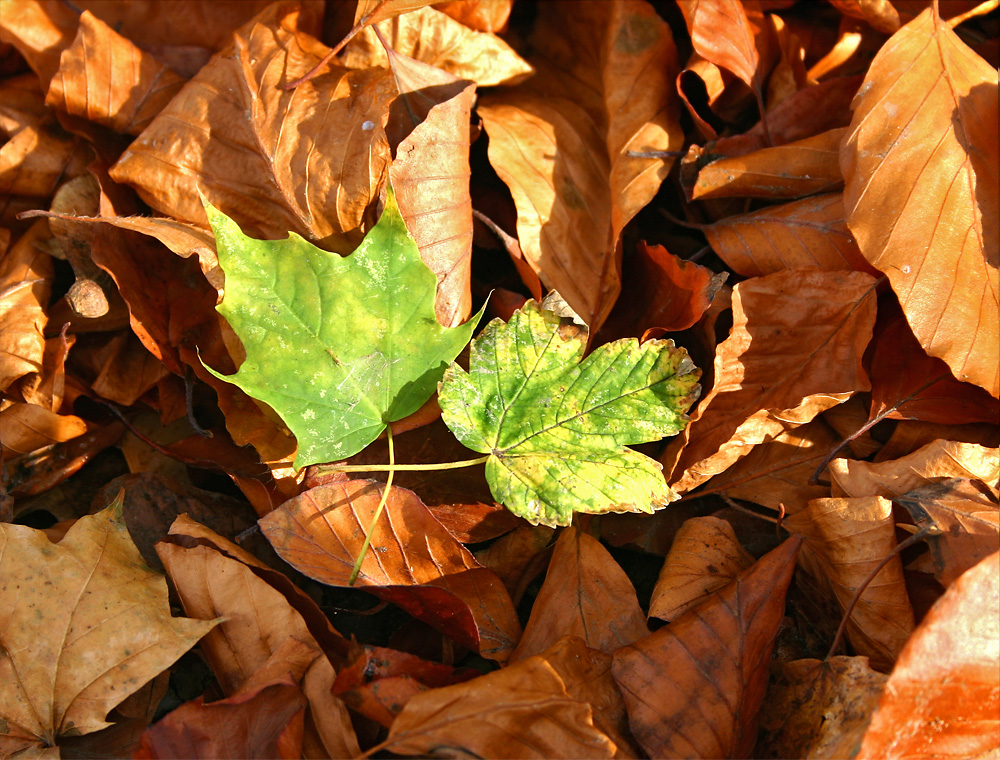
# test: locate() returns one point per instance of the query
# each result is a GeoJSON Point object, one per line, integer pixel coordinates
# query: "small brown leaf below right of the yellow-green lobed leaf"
{"type": "Point", "coordinates": [704, 557]}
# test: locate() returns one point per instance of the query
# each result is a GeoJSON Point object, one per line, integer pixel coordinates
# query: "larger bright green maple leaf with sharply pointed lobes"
{"type": "Point", "coordinates": [338, 346]}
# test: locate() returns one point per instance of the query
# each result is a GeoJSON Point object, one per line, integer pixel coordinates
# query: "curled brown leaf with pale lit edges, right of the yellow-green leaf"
{"type": "Point", "coordinates": [795, 350]}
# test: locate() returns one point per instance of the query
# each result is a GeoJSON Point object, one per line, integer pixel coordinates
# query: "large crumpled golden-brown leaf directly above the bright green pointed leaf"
{"type": "Point", "coordinates": [241, 152]}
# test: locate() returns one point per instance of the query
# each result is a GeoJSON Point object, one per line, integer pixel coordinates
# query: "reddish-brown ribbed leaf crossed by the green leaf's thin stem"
{"type": "Point", "coordinates": [413, 563]}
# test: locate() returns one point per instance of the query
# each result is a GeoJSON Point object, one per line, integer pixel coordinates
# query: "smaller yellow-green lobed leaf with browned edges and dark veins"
{"type": "Point", "coordinates": [557, 429]}
